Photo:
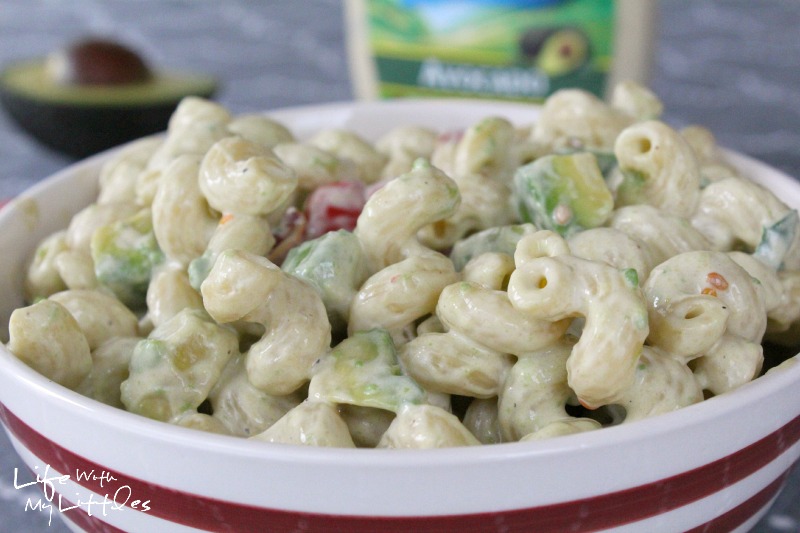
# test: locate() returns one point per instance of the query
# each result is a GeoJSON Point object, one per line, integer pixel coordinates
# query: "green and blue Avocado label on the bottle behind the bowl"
{"type": "Point", "coordinates": [509, 49]}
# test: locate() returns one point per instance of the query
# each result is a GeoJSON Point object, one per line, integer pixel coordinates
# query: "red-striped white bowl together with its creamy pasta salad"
{"type": "Point", "coordinates": [428, 315]}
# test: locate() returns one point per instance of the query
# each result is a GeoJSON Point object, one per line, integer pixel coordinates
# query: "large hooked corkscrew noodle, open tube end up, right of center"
{"type": "Point", "coordinates": [603, 361]}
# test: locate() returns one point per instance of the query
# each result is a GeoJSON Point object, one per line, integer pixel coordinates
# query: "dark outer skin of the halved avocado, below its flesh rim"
{"type": "Point", "coordinates": [81, 129]}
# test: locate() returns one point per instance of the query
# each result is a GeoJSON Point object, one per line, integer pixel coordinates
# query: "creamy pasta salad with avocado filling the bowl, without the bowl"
{"type": "Point", "coordinates": [424, 289]}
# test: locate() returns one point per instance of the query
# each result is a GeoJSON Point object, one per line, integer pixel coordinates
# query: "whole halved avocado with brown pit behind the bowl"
{"type": "Point", "coordinates": [93, 95]}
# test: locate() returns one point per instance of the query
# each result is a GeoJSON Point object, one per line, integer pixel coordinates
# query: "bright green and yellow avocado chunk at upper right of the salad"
{"type": "Point", "coordinates": [564, 193]}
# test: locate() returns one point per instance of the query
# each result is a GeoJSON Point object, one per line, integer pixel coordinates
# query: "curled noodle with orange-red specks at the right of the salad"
{"type": "Point", "coordinates": [705, 308]}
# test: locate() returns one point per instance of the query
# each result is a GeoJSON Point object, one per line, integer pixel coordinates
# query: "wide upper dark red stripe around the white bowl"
{"type": "Point", "coordinates": [589, 514]}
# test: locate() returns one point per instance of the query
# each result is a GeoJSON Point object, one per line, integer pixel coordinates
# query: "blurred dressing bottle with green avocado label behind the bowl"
{"type": "Point", "coordinates": [502, 49]}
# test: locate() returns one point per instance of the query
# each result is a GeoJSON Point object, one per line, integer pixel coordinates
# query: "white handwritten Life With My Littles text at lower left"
{"type": "Point", "coordinates": [55, 489]}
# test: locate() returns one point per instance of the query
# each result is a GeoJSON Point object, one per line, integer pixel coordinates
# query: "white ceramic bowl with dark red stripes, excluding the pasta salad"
{"type": "Point", "coordinates": [716, 465]}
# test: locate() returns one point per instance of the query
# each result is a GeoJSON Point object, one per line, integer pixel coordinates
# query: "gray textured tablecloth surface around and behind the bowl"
{"type": "Point", "coordinates": [732, 65]}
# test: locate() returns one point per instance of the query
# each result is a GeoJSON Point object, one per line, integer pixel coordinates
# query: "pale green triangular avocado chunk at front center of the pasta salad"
{"type": "Point", "coordinates": [364, 370]}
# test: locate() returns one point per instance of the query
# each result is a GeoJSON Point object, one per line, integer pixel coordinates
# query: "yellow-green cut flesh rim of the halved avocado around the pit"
{"type": "Point", "coordinates": [31, 80]}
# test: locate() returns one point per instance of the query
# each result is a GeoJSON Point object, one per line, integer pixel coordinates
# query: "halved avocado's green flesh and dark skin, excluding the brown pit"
{"type": "Point", "coordinates": [83, 119]}
